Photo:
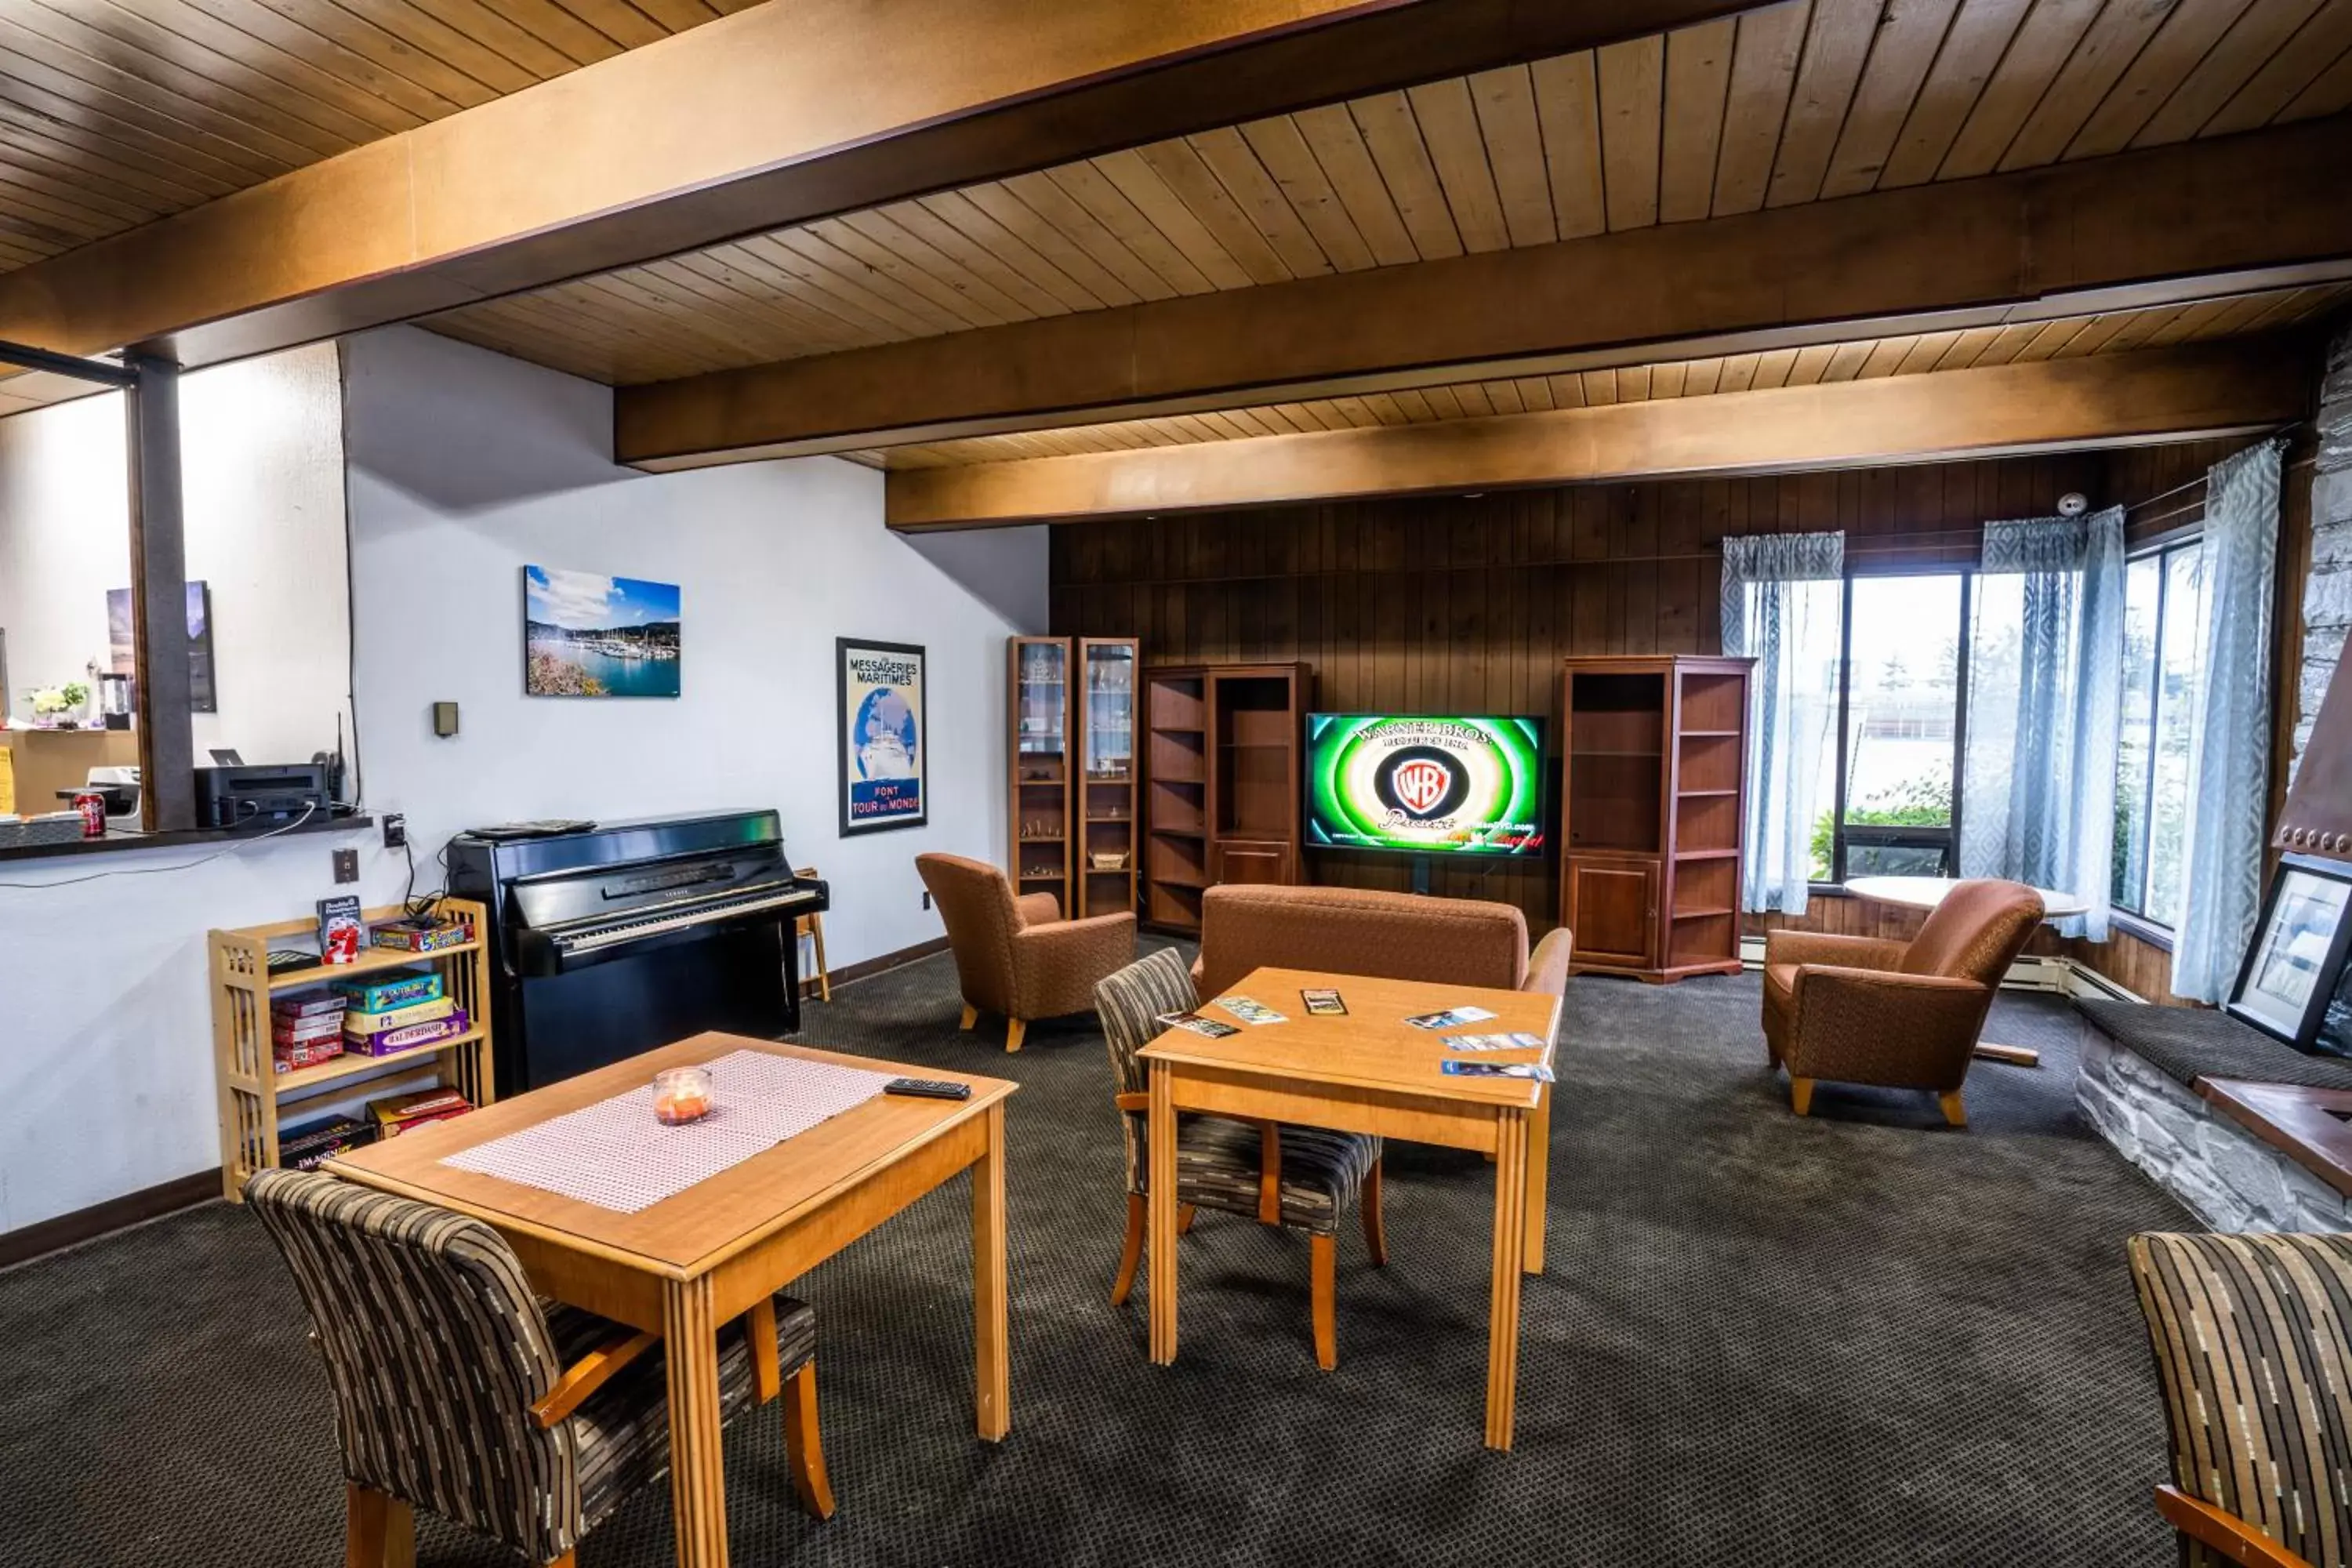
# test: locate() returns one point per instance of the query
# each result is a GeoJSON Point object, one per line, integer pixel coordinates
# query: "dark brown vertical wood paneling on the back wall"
{"type": "Point", "coordinates": [1469, 603]}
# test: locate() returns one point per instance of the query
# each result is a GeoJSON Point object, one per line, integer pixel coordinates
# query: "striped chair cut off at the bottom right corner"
{"type": "Point", "coordinates": [2257, 1372]}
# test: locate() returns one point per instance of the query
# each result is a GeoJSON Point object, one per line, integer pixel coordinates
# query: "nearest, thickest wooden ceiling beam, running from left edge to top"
{"type": "Point", "coordinates": [775, 116]}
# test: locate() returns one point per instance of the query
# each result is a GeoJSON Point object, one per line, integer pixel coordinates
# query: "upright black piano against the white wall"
{"type": "Point", "coordinates": [634, 934]}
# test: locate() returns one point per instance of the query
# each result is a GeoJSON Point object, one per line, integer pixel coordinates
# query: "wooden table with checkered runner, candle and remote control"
{"type": "Point", "coordinates": [726, 1245]}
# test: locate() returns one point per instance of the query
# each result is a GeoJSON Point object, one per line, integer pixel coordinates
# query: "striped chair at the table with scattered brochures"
{"type": "Point", "coordinates": [1297, 1177]}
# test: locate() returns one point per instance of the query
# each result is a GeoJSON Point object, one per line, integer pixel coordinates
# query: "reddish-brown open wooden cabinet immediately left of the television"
{"type": "Point", "coordinates": [1222, 777]}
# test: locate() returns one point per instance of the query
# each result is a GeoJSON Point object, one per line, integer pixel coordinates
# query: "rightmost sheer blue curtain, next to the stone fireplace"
{"type": "Point", "coordinates": [2231, 725]}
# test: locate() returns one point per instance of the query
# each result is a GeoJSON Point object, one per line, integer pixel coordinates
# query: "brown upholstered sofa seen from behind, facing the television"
{"type": "Point", "coordinates": [1396, 937]}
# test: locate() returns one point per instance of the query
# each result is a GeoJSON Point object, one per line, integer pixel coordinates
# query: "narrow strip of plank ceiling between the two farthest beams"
{"type": "Point", "coordinates": [1857, 361]}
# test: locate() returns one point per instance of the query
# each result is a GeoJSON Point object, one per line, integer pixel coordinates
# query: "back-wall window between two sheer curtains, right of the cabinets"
{"type": "Point", "coordinates": [1892, 812]}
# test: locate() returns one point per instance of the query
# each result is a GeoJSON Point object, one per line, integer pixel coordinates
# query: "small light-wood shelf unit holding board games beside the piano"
{"type": "Point", "coordinates": [255, 1097]}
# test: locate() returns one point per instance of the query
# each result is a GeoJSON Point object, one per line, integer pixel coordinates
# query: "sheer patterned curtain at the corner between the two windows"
{"type": "Point", "coordinates": [2045, 706]}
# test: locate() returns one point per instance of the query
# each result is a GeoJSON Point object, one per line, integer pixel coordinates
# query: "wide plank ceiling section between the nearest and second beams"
{"type": "Point", "coordinates": [1798, 102]}
